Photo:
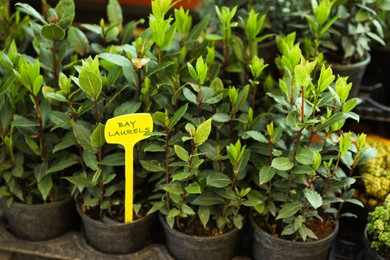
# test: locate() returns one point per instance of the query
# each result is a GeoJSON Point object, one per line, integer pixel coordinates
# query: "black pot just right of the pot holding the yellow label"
{"type": "Point", "coordinates": [186, 247]}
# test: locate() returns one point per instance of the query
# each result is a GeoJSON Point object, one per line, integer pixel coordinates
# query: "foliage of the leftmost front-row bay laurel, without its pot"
{"type": "Point", "coordinates": [31, 164]}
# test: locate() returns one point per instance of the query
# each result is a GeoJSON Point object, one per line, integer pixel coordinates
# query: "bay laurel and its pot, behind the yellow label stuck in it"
{"type": "Point", "coordinates": [103, 87]}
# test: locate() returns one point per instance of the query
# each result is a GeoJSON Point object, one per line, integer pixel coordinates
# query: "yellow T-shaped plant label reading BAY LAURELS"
{"type": "Point", "coordinates": [127, 130]}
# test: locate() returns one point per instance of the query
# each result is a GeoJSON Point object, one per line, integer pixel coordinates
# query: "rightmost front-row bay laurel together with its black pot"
{"type": "Point", "coordinates": [304, 160]}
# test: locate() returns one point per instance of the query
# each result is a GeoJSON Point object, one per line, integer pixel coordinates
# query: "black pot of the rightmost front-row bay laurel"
{"type": "Point", "coordinates": [267, 247]}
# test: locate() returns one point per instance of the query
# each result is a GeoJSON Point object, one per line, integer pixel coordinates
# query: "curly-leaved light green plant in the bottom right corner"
{"type": "Point", "coordinates": [377, 237]}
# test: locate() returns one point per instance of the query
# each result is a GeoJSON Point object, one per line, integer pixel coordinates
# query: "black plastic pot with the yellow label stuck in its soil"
{"type": "Point", "coordinates": [118, 238]}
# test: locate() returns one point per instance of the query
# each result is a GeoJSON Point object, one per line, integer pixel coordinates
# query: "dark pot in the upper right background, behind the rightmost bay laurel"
{"type": "Point", "coordinates": [355, 73]}
